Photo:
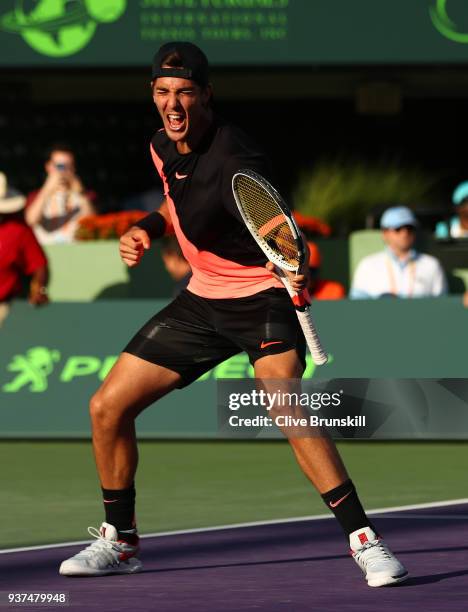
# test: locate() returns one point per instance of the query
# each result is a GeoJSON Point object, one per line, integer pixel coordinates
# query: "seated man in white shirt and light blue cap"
{"type": "Point", "coordinates": [399, 270]}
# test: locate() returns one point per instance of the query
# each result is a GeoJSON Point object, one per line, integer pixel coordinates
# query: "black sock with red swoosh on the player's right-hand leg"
{"type": "Point", "coordinates": [344, 502]}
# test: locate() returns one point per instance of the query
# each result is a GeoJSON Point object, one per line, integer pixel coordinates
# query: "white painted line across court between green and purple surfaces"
{"type": "Point", "coordinates": [161, 534]}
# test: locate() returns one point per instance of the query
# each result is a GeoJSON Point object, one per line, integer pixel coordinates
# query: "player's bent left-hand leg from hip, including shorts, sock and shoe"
{"type": "Point", "coordinates": [171, 350]}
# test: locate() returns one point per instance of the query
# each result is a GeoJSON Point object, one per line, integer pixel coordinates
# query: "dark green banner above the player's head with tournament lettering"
{"type": "Point", "coordinates": [258, 32]}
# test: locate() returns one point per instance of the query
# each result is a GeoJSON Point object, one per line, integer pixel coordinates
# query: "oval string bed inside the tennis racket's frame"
{"type": "Point", "coordinates": [267, 218]}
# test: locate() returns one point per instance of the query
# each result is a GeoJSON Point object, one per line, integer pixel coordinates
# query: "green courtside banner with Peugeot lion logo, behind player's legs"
{"type": "Point", "coordinates": [54, 358]}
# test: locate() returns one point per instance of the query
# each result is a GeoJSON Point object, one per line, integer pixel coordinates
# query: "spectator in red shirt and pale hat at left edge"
{"type": "Point", "coordinates": [20, 253]}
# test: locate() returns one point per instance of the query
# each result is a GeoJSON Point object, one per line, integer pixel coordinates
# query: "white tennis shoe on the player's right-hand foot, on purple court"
{"type": "Point", "coordinates": [376, 560]}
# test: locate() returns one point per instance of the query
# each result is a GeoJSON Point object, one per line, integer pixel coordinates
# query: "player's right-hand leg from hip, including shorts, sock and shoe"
{"type": "Point", "coordinates": [266, 327]}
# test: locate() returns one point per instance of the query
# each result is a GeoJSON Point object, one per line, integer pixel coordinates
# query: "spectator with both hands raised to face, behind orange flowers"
{"type": "Point", "coordinates": [54, 210]}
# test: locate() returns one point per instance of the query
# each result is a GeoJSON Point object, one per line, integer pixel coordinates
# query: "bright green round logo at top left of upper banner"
{"type": "Point", "coordinates": [59, 28]}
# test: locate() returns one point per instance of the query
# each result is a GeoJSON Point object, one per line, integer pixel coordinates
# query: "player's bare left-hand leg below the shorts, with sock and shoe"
{"type": "Point", "coordinates": [130, 386]}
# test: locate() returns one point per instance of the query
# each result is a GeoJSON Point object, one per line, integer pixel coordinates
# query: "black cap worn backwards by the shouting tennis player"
{"type": "Point", "coordinates": [194, 63]}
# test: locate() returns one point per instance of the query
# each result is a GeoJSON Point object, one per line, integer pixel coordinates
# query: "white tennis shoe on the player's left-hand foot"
{"type": "Point", "coordinates": [107, 555]}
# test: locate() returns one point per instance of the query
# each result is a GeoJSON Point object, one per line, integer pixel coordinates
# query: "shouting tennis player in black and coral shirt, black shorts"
{"type": "Point", "coordinates": [232, 303]}
